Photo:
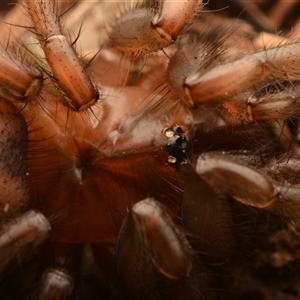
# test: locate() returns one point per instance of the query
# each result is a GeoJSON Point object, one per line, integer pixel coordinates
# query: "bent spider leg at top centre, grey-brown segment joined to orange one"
{"type": "Point", "coordinates": [144, 30]}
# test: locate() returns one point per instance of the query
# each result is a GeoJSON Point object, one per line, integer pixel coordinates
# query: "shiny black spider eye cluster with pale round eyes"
{"type": "Point", "coordinates": [177, 146]}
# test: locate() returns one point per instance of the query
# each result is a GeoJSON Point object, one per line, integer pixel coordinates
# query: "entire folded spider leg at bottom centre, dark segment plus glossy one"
{"type": "Point", "coordinates": [149, 244]}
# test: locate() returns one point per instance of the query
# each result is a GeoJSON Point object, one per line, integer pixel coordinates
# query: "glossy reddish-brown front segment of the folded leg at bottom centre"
{"type": "Point", "coordinates": [162, 239]}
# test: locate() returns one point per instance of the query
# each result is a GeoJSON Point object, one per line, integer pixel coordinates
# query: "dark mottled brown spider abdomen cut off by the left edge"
{"type": "Point", "coordinates": [15, 195]}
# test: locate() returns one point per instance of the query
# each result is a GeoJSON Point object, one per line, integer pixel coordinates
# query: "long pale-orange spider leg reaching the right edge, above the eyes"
{"type": "Point", "coordinates": [244, 73]}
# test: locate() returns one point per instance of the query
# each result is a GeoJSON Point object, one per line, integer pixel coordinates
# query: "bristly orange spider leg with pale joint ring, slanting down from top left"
{"type": "Point", "coordinates": [67, 70]}
